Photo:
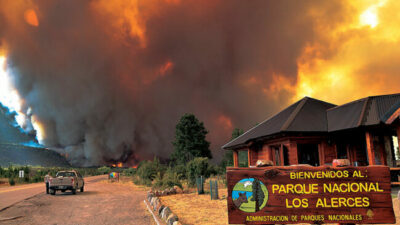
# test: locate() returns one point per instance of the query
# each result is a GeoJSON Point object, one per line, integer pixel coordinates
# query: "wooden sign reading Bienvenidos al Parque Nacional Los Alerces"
{"type": "Point", "coordinates": [305, 194]}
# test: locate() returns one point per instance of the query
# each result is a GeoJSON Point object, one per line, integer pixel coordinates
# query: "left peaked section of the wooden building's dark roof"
{"type": "Point", "coordinates": [306, 115]}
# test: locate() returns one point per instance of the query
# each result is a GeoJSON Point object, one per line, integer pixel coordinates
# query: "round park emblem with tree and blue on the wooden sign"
{"type": "Point", "coordinates": [250, 195]}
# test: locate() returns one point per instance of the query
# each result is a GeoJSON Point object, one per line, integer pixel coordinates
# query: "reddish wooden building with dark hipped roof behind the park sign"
{"type": "Point", "coordinates": [314, 132]}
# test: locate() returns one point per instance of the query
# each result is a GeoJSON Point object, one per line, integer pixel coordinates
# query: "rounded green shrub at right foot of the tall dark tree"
{"type": "Point", "coordinates": [196, 168]}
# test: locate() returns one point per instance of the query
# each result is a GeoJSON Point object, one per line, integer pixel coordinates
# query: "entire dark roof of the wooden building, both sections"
{"type": "Point", "coordinates": [312, 115]}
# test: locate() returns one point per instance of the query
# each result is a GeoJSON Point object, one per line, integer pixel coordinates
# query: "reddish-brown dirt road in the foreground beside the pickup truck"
{"type": "Point", "coordinates": [101, 203]}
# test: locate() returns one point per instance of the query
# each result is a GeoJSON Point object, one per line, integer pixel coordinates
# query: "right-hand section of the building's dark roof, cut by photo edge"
{"type": "Point", "coordinates": [364, 112]}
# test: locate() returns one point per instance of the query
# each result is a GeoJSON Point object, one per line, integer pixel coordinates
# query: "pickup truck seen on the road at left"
{"type": "Point", "coordinates": [66, 180]}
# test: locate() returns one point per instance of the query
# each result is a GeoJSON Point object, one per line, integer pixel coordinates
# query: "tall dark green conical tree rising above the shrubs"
{"type": "Point", "coordinates": [190, 140]}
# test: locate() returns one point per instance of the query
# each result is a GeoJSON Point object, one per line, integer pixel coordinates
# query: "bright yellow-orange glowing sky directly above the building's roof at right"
{"type": "Point", "coordinates": [352, 59]}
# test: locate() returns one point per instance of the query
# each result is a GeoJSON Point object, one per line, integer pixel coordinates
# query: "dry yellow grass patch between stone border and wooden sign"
{"type": "Point", "coordinates": [198, 209]}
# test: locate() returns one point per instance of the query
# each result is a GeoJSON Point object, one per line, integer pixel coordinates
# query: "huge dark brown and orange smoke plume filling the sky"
{"type": "Point", "coordinates": [107, 81]}
